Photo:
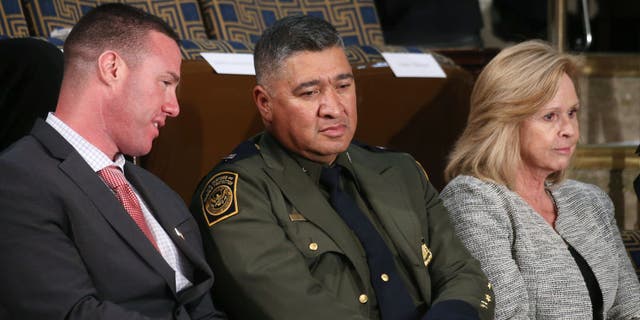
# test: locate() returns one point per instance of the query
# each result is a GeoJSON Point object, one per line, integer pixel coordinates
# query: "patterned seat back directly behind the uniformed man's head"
{"type": "Point", "coordinates": [244, 20]}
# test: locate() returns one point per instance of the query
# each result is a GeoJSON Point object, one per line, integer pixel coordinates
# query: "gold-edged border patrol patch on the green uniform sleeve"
{"type": "Point", "coordinates": [218, 198]}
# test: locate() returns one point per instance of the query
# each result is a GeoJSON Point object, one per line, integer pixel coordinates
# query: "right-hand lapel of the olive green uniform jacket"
{"type": "Point", "coordinates": [388, 198]}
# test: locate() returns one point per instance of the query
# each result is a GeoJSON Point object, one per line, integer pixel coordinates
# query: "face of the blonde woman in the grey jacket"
{"type": "Point", "coordinates": [549, 137]}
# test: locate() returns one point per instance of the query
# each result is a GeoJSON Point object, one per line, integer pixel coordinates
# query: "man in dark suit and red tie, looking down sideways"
{"type": "Point", "coordinates": [79, 240]}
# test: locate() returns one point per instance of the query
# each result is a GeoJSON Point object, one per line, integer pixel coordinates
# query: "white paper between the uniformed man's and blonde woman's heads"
{"type": "Point", "coordinates": [414, 65]}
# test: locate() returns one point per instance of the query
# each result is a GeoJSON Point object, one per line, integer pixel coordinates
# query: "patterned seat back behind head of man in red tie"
{"type": "Point", "coordinates": [46, 15]}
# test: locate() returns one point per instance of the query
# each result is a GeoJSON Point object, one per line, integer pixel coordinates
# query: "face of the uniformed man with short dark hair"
{"type": "Point", "coordinates": [309, 105]}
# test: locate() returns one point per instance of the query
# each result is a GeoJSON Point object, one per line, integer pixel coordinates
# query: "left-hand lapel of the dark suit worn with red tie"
{"type": "Point", "coordinates": [89, 183]}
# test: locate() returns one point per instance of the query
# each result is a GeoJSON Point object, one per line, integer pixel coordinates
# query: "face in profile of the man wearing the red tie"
{"type": "Point", "coordinates": [146, 97]}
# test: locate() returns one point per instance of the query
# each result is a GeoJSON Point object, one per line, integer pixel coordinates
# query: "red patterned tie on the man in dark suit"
{"type": "Point", "coordinates": [115, 179]}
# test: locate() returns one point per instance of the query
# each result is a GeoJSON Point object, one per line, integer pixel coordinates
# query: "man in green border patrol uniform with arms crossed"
{"type": "Point", "coordinates": [303, 224]}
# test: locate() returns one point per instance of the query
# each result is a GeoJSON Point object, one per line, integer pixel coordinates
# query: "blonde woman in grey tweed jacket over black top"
{"type": "Point", "coordinates": [549, 245]}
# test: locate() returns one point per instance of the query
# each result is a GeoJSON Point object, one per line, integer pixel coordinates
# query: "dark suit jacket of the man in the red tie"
{"type": "Point", "coordinates": [69, 250]}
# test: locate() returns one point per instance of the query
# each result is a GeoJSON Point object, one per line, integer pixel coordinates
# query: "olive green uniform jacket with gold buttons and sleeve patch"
{"type": "Point", "coordinates": [281, 252]}
